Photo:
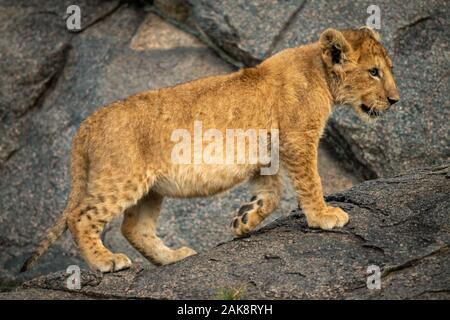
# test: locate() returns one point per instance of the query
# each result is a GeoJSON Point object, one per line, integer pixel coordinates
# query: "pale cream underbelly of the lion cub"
{"type": "Point", "coordinates": [201, 180]}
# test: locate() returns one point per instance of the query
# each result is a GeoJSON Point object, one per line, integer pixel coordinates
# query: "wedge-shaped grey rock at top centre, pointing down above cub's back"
{"type": "Point", "coordinates": [247, 30]}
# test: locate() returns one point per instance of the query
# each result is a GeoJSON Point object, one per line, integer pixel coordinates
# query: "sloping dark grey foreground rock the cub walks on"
{"type": "Point", "coordinates": [400, 225]}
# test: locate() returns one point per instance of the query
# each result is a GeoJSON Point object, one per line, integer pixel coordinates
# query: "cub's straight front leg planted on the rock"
{"type": "Point", "coordinates": [300, 159]}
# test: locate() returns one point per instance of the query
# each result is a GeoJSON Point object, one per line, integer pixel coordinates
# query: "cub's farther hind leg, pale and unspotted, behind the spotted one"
{"type": "Point", "coordinates": [139, 227]}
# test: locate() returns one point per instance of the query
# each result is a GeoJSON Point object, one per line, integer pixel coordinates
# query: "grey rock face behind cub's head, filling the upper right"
{"type": "Point", "coordinates": [416, 34]}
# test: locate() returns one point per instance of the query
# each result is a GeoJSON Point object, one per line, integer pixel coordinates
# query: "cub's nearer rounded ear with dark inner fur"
{"type": "Point", "coordinates": [335, 49]}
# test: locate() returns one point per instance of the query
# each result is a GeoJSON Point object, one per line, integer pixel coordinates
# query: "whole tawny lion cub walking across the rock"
{"type": "Point", "coordinates": [122, 155]}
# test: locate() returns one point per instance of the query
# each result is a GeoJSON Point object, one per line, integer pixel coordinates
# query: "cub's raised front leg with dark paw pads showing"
{"type": "Point", "coordinates": [267, 195]}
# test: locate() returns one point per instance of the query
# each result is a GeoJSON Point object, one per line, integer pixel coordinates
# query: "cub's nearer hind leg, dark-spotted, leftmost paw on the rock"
{"type": "Point", "coordinates": [105, 201]}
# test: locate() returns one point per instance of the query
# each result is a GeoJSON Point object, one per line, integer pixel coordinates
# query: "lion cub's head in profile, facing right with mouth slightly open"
{"type": "Point", "coordinates": [360, 69]}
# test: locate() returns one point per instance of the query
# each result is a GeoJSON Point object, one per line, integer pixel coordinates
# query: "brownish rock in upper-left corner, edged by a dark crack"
{"type": "Point", "coordinates": [33, 52]}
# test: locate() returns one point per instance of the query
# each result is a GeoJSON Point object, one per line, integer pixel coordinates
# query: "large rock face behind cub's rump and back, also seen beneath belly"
{"type": "Point", "coordinates": [51, 79]}
